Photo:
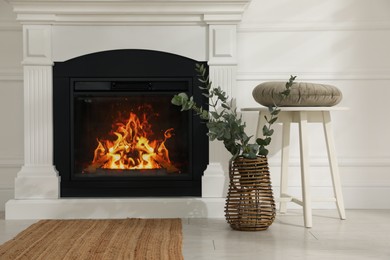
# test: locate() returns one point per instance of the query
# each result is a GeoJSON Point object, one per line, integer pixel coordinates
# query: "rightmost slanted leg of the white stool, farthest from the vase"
{"type": "Point", "coordinates": [333, 164]}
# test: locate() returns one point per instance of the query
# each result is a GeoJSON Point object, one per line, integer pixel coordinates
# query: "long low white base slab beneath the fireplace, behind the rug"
{"type": "Point", "coordinates": [115, 208]}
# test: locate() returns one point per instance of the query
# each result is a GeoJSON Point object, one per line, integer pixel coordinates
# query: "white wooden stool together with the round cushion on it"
{"type": "Point", "coordinates": [306, 103]}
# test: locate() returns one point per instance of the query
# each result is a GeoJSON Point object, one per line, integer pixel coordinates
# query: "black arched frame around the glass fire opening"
{"type": "Point", "coordinates": [148, 69]}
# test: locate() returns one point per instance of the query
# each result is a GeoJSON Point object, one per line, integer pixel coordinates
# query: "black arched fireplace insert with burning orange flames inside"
{"type": "Point", "coordinates": [116, 133]}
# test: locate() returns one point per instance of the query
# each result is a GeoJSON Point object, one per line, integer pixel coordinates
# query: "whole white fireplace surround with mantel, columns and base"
{"type": "Point", "coordinates": [199, 29]}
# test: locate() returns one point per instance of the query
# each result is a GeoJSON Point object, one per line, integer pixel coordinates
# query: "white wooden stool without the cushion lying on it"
{"type": "Point", "coordinates": [303, 116]}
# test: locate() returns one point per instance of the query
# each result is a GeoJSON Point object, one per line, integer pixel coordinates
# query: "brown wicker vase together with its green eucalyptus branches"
{"type": "Point", "coordinates": [250, 205]}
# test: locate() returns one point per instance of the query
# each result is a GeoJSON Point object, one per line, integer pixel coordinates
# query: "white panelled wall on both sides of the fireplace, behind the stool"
{"type": "Point", "coordinates": [344, 43]}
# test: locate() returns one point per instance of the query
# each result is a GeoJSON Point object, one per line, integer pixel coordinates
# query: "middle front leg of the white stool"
{"type": "Point", "coordinates": [305, 175]}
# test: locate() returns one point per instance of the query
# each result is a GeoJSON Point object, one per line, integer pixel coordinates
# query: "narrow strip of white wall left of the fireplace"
{"type": "Point", "coordinates": [11, 101]}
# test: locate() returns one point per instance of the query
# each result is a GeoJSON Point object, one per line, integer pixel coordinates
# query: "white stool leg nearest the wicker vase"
{"type": "Point", "coordinates": [284, 169]}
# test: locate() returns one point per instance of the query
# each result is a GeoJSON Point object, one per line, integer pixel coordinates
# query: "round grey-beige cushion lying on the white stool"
{"type": "Point", "coordinates": [302, 94]}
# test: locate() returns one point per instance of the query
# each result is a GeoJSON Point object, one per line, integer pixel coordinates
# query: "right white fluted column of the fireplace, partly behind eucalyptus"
{"type": "Point", "coordinates": [222, 60]}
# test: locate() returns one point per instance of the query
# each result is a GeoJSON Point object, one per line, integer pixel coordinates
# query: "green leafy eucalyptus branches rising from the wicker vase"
{"type": "Point", "coordinates": [224, 123]}
